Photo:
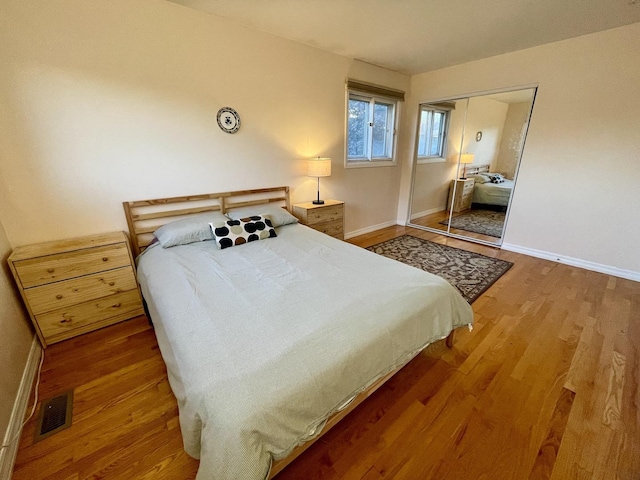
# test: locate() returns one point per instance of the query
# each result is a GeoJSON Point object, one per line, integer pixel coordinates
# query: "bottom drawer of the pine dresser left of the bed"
{"type": "Point", "coordinates": [69, 322]}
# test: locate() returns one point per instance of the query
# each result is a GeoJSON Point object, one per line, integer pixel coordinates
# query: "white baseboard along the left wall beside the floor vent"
{"type": "Point", "coordinates": [8, 455]}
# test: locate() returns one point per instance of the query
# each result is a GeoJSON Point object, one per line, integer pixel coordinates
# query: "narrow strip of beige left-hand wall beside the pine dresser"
{"type": "Point", "coordinates": [16, 335]}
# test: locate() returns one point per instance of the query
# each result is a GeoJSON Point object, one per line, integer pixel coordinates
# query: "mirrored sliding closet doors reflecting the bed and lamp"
{"type": "Point", "coordinates": [467, 157]}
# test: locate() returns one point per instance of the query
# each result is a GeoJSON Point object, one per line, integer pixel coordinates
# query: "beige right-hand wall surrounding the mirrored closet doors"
{"type": "Point", "coordinates": [577, 190]}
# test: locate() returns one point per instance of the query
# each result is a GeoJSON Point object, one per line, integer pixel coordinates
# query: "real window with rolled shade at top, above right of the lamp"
{"type": "Point", "coordinates": [371, 121]}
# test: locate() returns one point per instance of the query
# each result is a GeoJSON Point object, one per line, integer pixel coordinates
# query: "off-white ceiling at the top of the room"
{"type": "Point", "coordinates": [414, 36]}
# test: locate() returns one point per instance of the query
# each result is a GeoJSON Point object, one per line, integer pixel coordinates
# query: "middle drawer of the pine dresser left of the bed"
{"type": "Point", "coordinates": [79, 290]}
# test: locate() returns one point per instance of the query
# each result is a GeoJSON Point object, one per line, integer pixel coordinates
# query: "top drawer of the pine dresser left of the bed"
{"type": "Point", "coordinates": [54, 268]}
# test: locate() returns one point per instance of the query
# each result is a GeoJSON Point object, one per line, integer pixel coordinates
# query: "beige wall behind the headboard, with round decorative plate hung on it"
{"type": "Point", "coordinates": [114, 100]}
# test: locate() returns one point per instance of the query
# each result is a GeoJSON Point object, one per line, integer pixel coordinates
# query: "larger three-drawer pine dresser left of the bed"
{"type": "Point", "coordinates": [74, 286]}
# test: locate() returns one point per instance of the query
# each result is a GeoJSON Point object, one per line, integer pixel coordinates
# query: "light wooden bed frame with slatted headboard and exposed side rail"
{"type": "Point", "coordinates": [145, 216]}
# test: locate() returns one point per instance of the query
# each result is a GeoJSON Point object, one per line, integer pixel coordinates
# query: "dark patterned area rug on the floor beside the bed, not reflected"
{"type": "Point", "coordinates": [471, 273]}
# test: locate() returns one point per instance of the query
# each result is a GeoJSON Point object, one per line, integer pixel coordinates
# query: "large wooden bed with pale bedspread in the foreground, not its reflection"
{"type": "Point", "coordinates": [270, 343]}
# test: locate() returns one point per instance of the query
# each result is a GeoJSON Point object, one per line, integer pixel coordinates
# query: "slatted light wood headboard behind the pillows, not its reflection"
{"type": "Point", "coordinates": [145, 216]}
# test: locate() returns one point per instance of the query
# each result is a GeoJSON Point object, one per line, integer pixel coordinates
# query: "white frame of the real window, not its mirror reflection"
{"type": "Point", "coordinates": [369, 160]}
